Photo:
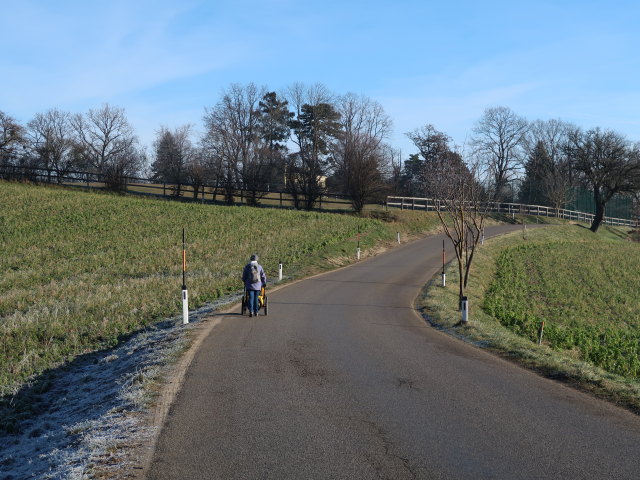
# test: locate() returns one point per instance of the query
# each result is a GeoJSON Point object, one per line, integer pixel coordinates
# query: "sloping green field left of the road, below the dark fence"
{"type": "Point", "coordinates": [80, 270]}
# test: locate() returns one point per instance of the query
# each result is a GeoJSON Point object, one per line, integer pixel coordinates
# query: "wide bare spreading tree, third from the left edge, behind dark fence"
{"type": "Point", "coordinates": [108, 143]}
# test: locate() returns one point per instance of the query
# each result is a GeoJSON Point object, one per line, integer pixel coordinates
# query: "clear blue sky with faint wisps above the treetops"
{"type": "Point", "coordinates": [442, 63]}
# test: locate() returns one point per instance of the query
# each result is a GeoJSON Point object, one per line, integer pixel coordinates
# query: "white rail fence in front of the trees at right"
{"type": "Point", "coordinates": [429, 204]}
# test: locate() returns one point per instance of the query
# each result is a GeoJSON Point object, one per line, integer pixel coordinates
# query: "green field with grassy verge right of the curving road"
{"type": "Point", "coordinates": [584, 286]}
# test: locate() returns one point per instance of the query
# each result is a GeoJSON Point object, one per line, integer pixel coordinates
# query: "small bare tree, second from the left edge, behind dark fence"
{"type": "Point", "coordinates": [51, 142]}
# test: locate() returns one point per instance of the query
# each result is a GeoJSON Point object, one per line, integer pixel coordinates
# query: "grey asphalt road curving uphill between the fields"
{"type": "Point", "coordinates": [344, 380]}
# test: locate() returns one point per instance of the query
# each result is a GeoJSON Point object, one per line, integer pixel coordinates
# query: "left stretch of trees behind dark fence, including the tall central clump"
{"type": "Point", "coordinates": [305, 141]}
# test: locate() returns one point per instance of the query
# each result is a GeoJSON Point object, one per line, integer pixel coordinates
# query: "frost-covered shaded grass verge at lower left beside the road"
{"type": "Point", "coordinates": [84, 416]}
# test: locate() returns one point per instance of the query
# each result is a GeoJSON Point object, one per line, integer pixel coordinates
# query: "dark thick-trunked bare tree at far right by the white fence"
{"type": "Point", "coordinates": [608, 164]}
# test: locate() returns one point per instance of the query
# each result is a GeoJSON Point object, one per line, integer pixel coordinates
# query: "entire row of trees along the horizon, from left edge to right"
{"type": "Point", "coordinates": [308, 141]}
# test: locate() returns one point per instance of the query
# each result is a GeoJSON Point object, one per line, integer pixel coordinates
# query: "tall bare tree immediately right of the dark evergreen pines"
{"type": "Point", "coordinates": [359, 159]}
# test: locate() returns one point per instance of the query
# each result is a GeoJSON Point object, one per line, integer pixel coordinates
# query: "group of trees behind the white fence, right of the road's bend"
{"type": "Point", "coordinates": [538, 163]}
